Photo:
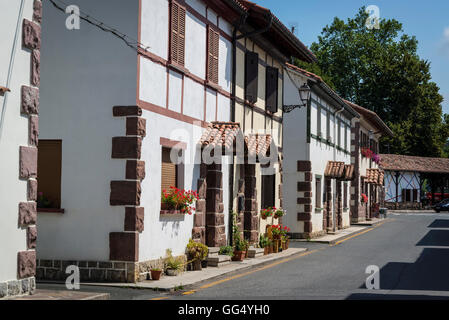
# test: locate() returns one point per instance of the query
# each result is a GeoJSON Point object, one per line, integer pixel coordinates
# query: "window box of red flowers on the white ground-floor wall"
{"type": "Point", "coordinates": [177, 202]}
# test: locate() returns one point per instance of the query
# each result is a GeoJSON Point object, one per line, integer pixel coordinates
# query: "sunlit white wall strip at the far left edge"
{"type": "Point", "coordinates": [14, 134]}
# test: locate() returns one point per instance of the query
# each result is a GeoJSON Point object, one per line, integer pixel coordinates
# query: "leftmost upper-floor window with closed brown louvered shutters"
{"type": "Point", "coordinates": [177, 34]}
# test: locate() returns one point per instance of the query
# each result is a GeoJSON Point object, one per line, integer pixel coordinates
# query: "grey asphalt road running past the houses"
{"type": "Point", "coordinates": [411, 251]}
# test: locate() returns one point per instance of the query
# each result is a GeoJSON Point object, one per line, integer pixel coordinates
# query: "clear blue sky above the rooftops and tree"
{"type": "Point", "coordinates": [427, 20]}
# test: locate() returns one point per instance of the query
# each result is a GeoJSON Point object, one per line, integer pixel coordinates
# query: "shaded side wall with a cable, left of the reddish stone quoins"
{"type": "Point", "coordinates": [84, 73]}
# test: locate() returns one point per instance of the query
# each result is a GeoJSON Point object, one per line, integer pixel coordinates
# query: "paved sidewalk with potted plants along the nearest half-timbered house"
{"type": "Point", "coordinates": [190, 278]}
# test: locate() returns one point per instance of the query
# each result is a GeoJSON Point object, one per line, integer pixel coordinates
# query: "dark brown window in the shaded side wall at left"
{"type": "Point", "coordinates": [49, 173]}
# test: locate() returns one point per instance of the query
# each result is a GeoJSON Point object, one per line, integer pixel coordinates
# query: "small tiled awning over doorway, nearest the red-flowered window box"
{"type": "Point", "coordinates": [220, 134]}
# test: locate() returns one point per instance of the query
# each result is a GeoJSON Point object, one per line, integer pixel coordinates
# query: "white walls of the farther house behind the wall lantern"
{"type": "Point", "coordinates": [319, 153]}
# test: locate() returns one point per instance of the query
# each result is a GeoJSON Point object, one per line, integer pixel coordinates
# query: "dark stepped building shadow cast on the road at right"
{"type": "Point", "coordinates": [428, 273]}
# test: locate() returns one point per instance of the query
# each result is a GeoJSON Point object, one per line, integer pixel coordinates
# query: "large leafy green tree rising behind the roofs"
{"type": "Point", "coordinates": [380, 70]}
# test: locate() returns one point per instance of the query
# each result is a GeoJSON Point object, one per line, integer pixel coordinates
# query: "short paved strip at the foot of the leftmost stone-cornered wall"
{"type": "Point", "coordinates": [64, 295]}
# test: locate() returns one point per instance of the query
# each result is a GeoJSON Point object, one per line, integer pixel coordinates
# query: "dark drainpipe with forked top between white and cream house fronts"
{"type": "Point", "coordinates": [235, 38]}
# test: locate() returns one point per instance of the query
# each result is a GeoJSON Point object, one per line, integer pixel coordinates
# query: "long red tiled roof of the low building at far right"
{"type": "Point", "coordinates": [393, 162]}
